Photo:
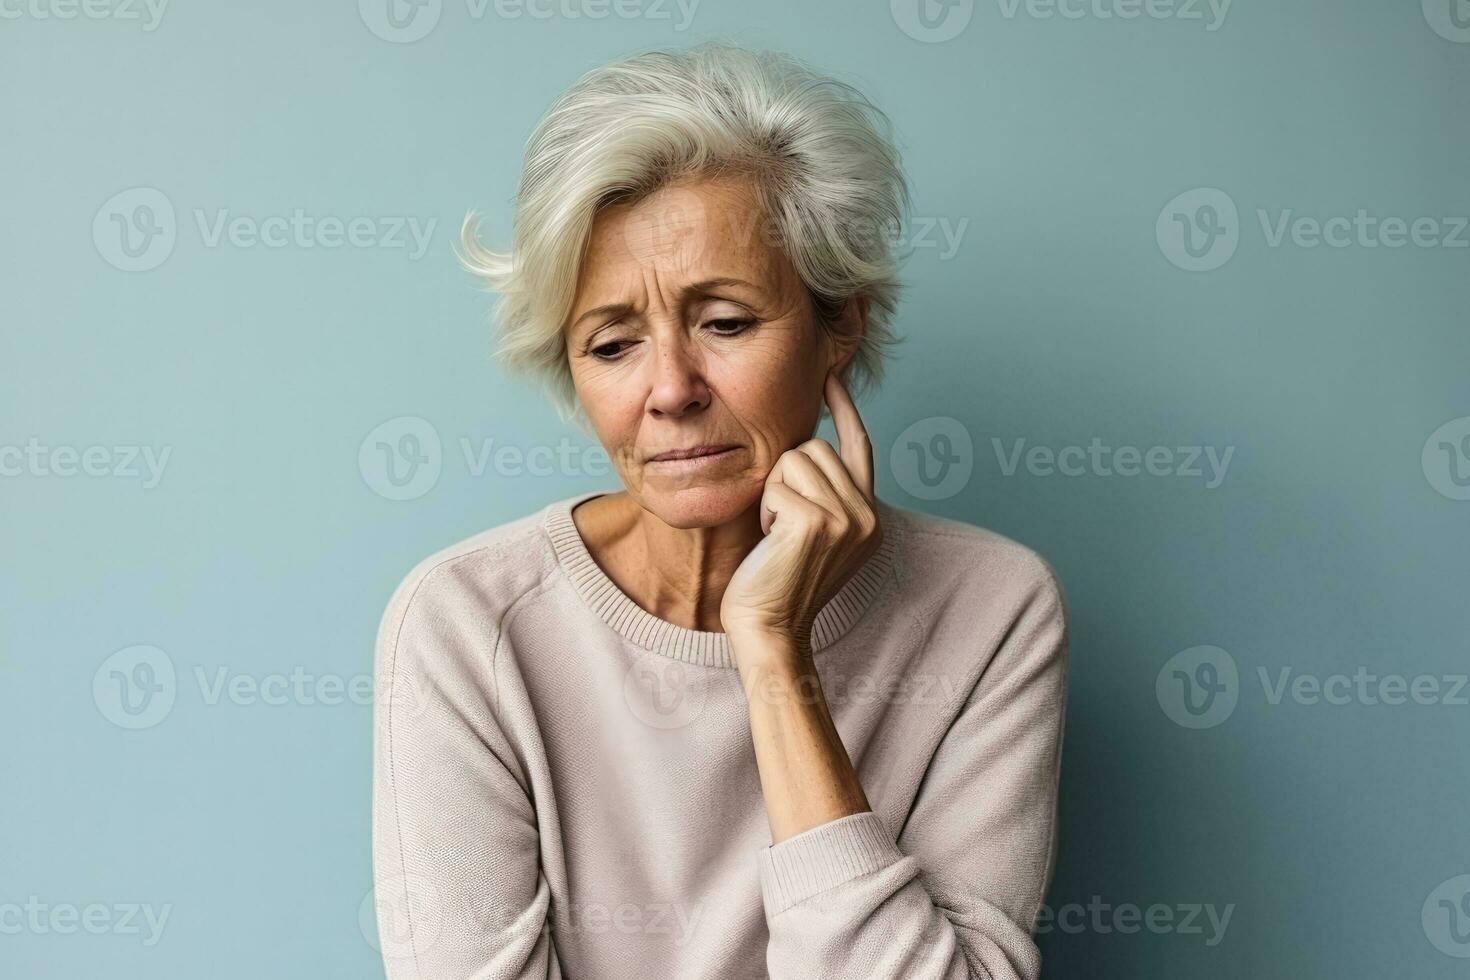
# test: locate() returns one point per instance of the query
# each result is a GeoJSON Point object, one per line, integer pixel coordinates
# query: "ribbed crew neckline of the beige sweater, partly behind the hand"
{"type": "Point", "coordinates": [706, 649]}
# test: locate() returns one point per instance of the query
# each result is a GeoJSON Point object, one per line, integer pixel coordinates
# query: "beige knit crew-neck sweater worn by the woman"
{"type": "Point", "coordinates": [565, 785]}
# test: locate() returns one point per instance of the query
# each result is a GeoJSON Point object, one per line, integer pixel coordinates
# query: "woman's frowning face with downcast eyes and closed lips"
{"type": "Point", "coordinates": [692, 333]}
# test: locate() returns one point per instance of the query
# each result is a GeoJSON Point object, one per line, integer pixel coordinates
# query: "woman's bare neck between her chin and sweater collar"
{"type": "Point", "coordinates": [677, 574]}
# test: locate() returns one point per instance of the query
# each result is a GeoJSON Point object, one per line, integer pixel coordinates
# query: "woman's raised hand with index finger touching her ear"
{"type": "Point", "coordinates": [818, 515]}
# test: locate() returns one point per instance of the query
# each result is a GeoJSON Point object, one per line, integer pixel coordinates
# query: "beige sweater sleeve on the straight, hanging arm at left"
{"type": "Point", "coordinates": [456, 851]}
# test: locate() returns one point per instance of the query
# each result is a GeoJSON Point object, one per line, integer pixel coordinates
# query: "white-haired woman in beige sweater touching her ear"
{"type": "Point", "coordinates": [739, 719]}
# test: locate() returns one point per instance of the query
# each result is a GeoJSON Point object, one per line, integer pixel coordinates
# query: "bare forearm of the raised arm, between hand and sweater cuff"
{"type": "Point", "coordinates": [806, 775]}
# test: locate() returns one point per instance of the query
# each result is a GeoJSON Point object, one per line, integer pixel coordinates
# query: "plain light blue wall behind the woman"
{"type": "Point", "coordinates": [1061, 320]}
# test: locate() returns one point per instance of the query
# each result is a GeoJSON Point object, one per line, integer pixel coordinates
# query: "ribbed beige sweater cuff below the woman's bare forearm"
{"type": "Point", "coordinates": [824, 857]}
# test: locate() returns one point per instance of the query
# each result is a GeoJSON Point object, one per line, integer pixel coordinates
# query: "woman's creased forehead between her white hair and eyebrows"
{"type": "Point", "coordinates": [681, 234]}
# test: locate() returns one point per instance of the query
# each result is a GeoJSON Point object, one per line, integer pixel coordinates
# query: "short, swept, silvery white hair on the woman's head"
{"type": "Point", "coordinates": [821, 156]}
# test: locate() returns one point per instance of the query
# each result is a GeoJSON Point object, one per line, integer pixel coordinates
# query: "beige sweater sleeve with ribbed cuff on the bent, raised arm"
{"type": "Point", "coordinates": [958, 894]}
